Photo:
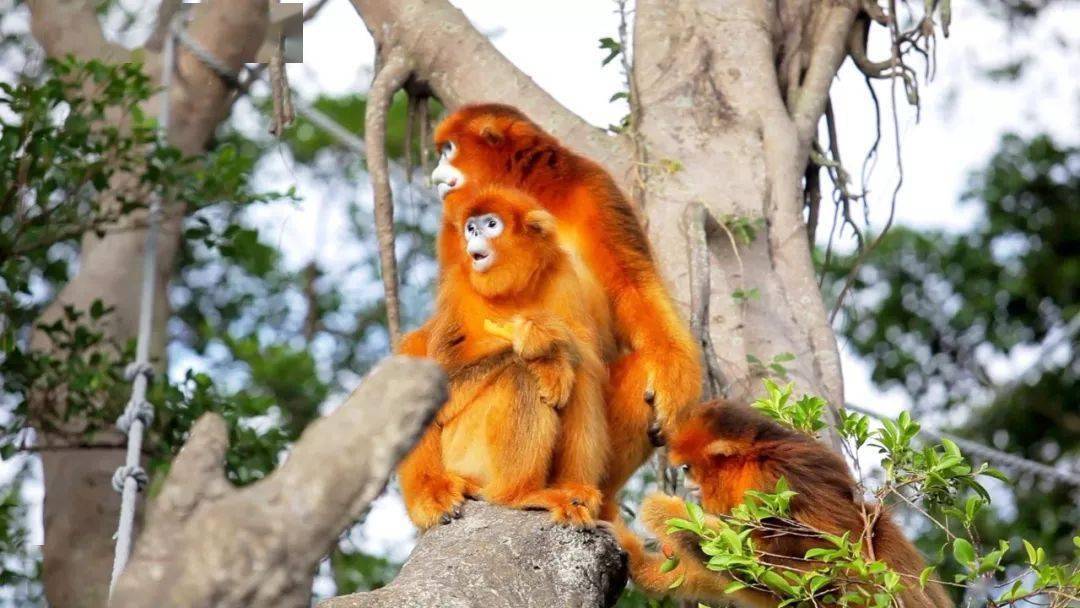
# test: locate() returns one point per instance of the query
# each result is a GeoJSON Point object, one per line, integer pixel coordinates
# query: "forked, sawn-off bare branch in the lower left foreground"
{"type": "Point", "coordinates": [208, 544]}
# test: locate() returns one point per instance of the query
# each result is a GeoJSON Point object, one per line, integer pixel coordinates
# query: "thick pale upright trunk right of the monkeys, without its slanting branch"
{"type": "Point", "coordinates": [718, 132]}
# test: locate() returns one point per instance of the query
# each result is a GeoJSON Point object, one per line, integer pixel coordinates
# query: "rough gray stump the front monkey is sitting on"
{"type": "Point", "coordinates": [501, 559]}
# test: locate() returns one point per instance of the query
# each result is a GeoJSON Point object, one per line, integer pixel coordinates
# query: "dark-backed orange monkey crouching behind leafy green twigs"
{"type": "Point", "coordinates": [728, 449]}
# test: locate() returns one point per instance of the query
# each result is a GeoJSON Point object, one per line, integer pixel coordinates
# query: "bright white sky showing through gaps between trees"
{"type": "Point", "coordinates": [556, 43]}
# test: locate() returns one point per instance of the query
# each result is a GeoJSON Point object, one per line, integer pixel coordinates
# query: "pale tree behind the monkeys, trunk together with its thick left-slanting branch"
{"type": "Point", "coordinates": [730, 96]}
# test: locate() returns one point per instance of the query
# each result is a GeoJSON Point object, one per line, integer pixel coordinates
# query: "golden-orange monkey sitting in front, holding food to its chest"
{"type": "Point", "coordinates": [524, 426]}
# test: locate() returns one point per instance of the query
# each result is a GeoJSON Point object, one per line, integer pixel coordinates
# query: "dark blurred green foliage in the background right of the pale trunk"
{"type": "Point", "coordinates": [930, 312]}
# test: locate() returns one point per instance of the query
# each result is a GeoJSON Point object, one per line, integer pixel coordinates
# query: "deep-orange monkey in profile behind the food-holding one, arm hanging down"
{"type": "Point", "coordinates": [658, 362]}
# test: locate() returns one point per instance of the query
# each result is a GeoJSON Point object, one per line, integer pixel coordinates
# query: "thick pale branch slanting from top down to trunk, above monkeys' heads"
{"type": "Point", "coordinates": [462, 65]}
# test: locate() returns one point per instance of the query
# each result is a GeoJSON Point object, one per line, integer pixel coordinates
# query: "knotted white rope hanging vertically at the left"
{"type": "Point", "coordinates": [130, 479]}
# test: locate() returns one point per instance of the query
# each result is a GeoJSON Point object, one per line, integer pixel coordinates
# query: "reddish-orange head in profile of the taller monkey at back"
{"type": "Point", "coordinates": [491, 144]}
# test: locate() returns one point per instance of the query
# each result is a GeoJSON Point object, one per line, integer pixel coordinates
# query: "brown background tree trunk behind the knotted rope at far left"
{"type": "Point", "coordinates": [82, 509]}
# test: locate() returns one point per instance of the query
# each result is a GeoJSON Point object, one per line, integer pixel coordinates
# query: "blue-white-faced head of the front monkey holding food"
{"type": "Point", "coordinates": [502, 239]}
